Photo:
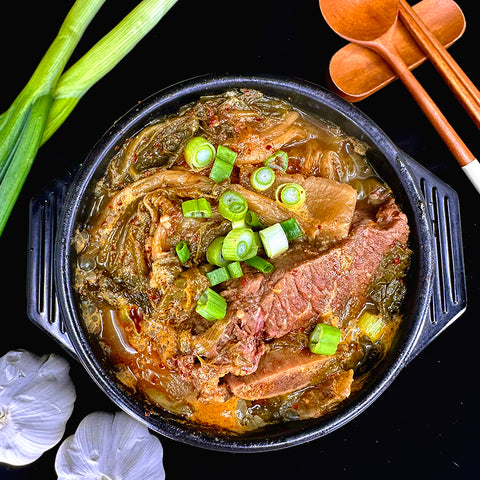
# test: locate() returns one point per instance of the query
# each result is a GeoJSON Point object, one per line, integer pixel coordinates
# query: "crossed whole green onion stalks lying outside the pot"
{"type": "Point", "coordinates": [51, 94]}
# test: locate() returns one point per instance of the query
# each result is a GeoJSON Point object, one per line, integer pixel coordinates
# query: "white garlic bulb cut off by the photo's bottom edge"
{"type": "Point", "coordinates": [110, 447]}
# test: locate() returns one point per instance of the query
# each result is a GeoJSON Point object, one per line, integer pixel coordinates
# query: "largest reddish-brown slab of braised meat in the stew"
{"type": "Point", "coordinates": [304, 285]}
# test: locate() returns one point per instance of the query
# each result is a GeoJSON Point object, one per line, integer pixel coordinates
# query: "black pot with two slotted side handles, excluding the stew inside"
{"type": "Point", "coordinates": [436, 281]}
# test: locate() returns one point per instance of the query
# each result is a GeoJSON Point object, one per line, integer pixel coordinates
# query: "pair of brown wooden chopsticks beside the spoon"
{"type": "Point", "coordinates": [463, 88]}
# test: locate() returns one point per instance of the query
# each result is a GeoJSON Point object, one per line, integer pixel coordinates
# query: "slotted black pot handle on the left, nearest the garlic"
{"type": "Point", "coordinates": [42, 301]}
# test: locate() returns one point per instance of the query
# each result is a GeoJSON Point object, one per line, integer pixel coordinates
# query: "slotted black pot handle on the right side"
{"type": "Point", "coordinates": [449, 299]}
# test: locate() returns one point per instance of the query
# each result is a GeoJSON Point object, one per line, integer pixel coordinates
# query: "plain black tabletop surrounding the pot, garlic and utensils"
{"type": "Point", "coordinates": [426, 423]}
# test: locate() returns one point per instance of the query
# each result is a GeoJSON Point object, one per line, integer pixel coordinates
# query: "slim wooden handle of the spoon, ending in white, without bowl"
{"type": "Point", "coordinates": [470, 165]}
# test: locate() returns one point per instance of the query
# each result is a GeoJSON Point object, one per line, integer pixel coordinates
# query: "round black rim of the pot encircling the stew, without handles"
{"type": "Point", "coordinates": [175, 95]}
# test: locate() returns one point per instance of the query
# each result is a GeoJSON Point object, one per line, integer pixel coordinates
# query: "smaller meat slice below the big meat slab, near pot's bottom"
{"type": "Point", "coordinates": [278, 372]}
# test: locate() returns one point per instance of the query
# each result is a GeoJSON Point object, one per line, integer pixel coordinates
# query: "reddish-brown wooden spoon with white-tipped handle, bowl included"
{"type": "Point", "coordinates": [372, 23]}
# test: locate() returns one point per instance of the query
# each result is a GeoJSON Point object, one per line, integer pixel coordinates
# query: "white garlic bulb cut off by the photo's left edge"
{"type": "Point", "coordinates": [36, 400]}
